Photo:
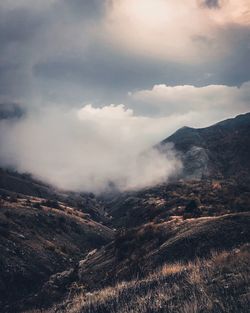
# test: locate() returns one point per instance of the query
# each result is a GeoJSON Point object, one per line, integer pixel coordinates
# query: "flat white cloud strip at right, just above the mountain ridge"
{"type": "Point", "coordinates": [203, 105]}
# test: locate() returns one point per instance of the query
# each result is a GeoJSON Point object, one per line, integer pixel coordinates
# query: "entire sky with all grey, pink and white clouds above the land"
{"type": "Point", "coordinates": [111, 78]}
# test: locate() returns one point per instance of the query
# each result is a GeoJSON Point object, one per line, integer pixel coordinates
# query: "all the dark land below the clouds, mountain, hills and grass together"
{"type": "Point", "coordinates": [150, 250]}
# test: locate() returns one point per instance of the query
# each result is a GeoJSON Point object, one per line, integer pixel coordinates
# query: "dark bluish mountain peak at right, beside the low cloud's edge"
{"type": "Point", "coordinates": [221, 150]}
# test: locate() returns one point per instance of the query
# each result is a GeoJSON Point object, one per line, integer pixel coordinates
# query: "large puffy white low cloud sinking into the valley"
{"type": "Point", "coordinates": [87, 149]}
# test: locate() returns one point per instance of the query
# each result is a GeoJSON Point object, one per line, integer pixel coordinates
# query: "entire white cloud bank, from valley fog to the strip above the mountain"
{"type": "Point", "coordinates": [98, 148]}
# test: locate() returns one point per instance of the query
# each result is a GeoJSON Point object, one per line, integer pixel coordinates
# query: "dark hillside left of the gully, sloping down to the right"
{"type": "Point", "coordinates": [40, 236]}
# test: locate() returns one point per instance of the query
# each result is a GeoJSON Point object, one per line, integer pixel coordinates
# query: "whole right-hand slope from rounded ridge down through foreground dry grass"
{"type": "Point", "coordinates": [122, 270]}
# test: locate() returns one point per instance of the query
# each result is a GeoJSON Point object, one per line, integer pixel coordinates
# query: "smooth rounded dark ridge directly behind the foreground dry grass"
{"type": "Point", "coordinates": [136, 252]}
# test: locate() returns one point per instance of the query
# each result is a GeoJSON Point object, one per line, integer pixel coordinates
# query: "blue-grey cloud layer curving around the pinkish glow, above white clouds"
{"type": "Point", "coordinates": [36, 61]}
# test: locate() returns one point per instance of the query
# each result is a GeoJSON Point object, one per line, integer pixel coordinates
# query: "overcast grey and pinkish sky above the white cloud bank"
{"type": "Point", "coordinates": [97, 51]}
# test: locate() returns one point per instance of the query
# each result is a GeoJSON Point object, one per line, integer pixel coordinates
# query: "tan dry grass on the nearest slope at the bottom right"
{"type": "Point", "coordinates": [218, 284]}
